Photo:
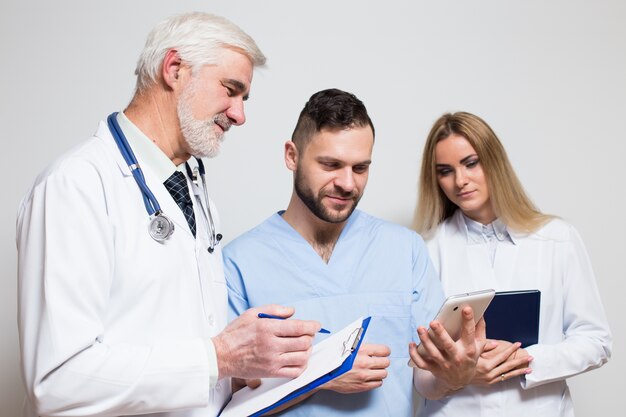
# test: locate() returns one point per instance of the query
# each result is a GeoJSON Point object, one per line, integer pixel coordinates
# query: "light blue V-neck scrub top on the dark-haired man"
{"type": "Point", "coordinates": [377, 269]}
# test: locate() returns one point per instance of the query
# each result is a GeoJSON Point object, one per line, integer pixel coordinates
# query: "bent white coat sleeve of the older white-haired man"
{"type": "Point", "coordinates": [65, 270]}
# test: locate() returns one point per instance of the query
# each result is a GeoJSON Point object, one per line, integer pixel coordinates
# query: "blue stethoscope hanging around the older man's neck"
{"type": "Point", "coordinates": [161, 227]}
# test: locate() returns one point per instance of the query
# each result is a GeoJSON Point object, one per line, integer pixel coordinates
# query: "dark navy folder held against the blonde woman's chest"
{"type": "Point", "coordinates": [514, 316]}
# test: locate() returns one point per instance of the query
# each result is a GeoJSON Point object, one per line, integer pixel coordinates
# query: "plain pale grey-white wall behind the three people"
{"type": "Point", "coordinates": [549, 76]}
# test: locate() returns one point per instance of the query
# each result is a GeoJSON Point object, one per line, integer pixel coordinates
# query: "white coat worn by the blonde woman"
{"type": "Point", "coordinates": [574, 335]}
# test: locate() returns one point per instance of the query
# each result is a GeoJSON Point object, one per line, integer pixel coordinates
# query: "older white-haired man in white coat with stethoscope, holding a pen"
{"type": "Point", "coordinates": [122, 298]}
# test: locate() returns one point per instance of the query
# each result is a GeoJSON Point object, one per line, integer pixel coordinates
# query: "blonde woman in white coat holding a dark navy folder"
{"type": "Point", "coordinates": [484, 232]}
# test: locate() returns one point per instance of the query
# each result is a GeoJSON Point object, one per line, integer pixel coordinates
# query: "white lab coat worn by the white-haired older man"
{"type": "Point", "coordinates": [112, 322]}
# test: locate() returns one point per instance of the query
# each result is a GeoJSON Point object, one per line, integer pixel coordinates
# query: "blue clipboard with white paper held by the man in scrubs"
{"type": "Point", "coordinates": [331, 358]}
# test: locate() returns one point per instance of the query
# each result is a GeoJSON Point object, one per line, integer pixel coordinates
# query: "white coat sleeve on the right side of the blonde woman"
{"type": "Point", "coordinates": [586, 341]}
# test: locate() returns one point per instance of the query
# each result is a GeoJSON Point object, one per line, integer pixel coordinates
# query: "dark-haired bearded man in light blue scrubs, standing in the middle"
{"type": "Point", "coordinates": [334, 263]}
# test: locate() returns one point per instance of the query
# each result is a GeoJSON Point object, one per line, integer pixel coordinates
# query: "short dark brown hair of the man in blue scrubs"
{"type": "Point", "coordinates": [331, 109]}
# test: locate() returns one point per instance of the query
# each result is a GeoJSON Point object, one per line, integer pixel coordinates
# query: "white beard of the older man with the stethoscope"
{"type": "Point", "coordinates": [201, 137]}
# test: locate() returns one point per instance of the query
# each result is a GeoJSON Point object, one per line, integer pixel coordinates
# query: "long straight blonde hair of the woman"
{"type": "Point", "coordinates": [509, 200]}
